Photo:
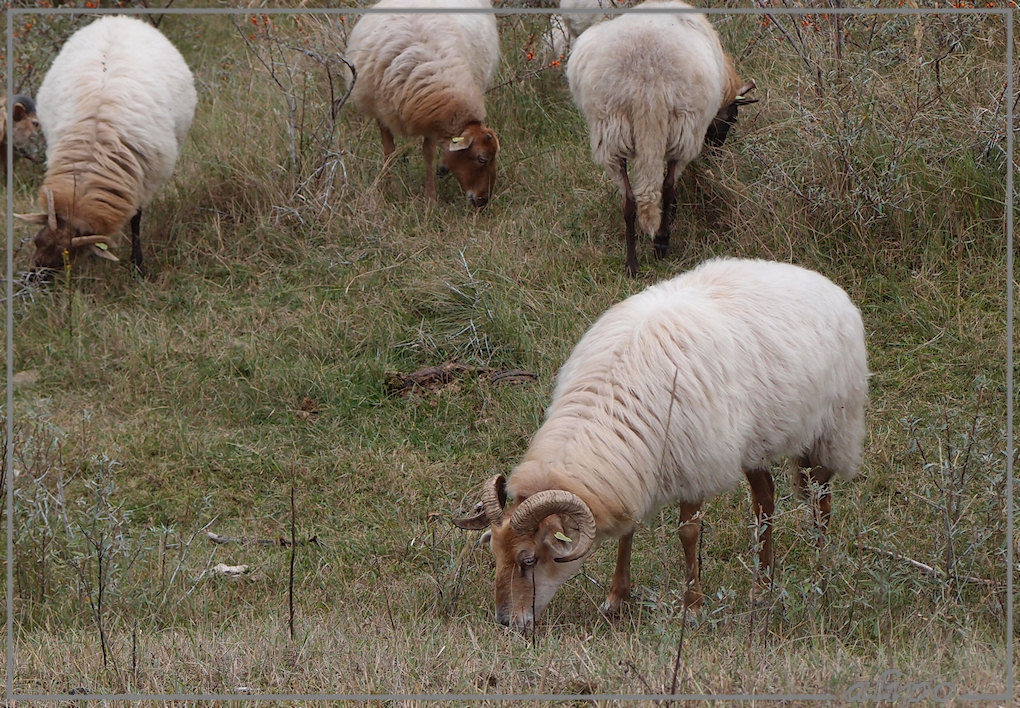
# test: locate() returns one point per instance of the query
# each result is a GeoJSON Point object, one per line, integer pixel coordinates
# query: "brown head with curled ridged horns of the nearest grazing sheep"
{"type": "Point", "coordinates": [539, 543]}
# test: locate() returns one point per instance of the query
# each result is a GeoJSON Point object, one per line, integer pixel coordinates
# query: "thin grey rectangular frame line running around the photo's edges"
{"type": "Point", "coordinates": [12, 13]}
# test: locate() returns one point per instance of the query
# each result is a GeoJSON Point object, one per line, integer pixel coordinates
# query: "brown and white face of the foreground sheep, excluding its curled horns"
{"type": "Point", "coordinates": [527, 573]}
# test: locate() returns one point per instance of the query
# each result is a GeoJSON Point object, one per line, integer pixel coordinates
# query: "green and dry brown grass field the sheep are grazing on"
{"type": "Point", "coordinates": [174, 404]}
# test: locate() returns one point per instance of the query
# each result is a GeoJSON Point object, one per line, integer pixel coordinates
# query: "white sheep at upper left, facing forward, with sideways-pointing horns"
{"type": "Point", "coordinates": [115, 108]}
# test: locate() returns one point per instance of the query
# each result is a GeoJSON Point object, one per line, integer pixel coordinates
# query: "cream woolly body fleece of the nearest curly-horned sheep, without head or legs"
{"type": "Point", "coordinates": [734, 365]}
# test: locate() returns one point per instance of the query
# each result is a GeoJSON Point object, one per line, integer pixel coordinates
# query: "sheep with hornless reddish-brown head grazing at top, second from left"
{"type": "Point", "coordinates": [424, 75]}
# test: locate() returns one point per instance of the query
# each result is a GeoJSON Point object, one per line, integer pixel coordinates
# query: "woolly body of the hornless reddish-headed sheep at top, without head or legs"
{"type": "Point", "coordinates": [424, 75]}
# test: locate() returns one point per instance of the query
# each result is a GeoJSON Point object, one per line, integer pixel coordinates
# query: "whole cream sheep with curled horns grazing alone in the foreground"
{"type": "Point", "coordinates": [674, 395]}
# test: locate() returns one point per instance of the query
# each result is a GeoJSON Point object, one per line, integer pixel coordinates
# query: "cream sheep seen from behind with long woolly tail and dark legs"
{"type": "Point", "coordinates": [653, 88]}
